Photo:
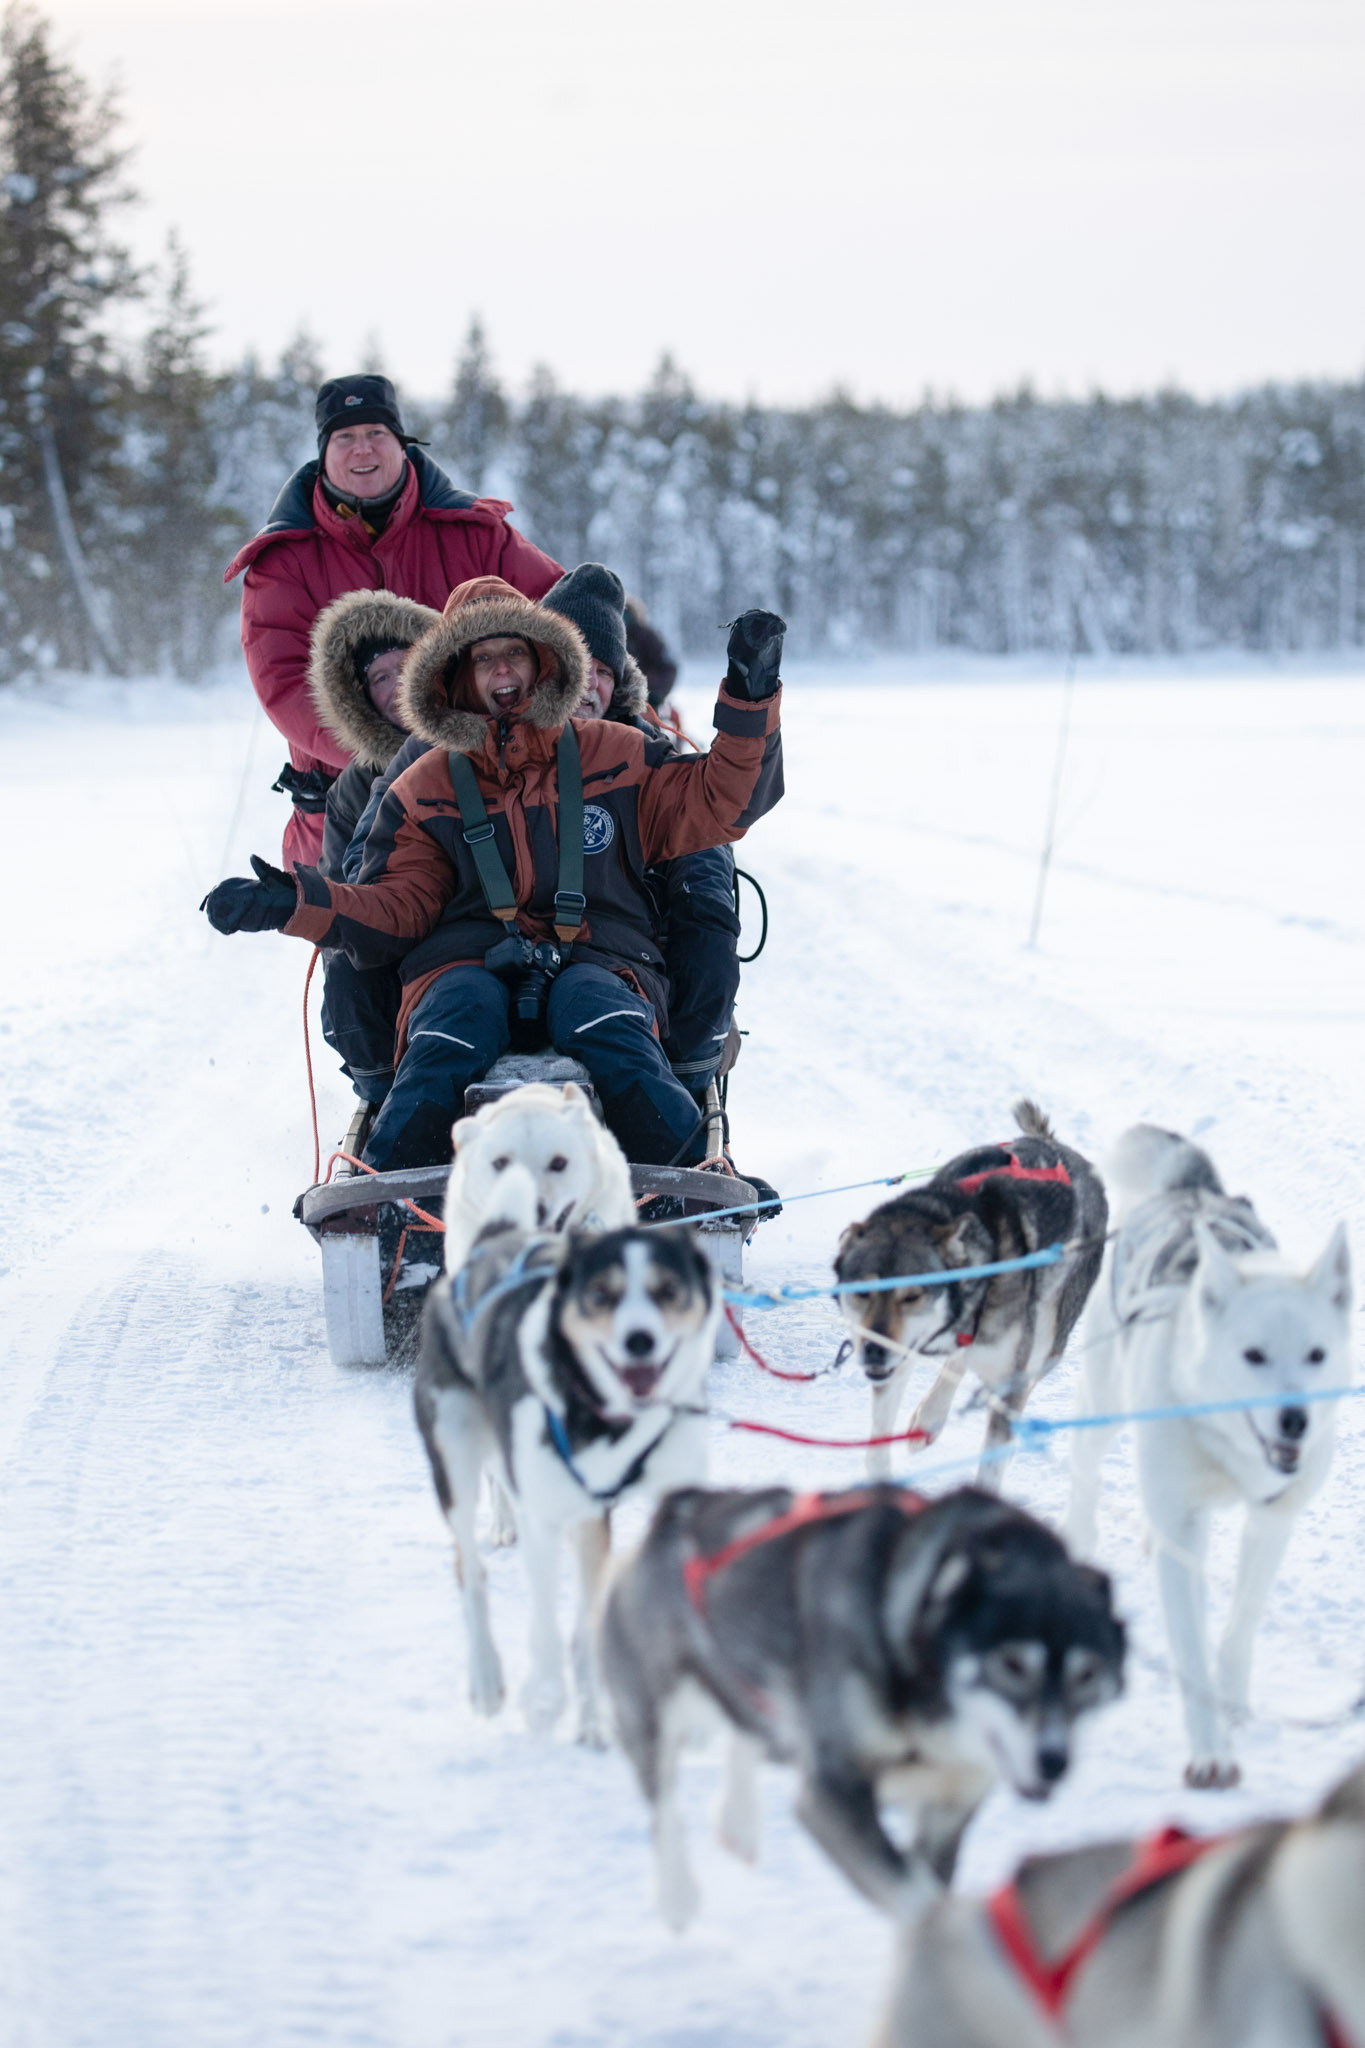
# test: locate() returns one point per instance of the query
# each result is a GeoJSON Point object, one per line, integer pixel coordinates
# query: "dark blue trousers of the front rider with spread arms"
{"type": "Point", "coordinates": [461, 1027]}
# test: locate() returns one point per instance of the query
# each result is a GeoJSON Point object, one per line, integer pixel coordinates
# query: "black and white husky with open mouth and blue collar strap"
{"type": "Point", "coordinates": [576, 1371]}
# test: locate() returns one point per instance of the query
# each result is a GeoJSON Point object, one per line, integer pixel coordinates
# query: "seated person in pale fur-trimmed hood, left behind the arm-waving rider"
{"type": "Point", "coordinates": [359, 646]}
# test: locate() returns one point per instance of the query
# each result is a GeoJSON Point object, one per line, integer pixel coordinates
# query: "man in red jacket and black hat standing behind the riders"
{"type": "Point", "coordinates": [373, 513]}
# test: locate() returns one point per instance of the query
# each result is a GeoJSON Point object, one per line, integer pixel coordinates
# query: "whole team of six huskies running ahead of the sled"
{"type": "Point", "coordinates": [908, 1654]}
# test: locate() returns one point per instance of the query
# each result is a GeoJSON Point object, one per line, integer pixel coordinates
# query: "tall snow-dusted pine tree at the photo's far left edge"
{"type": "Point", "coordinates": [60, 275]}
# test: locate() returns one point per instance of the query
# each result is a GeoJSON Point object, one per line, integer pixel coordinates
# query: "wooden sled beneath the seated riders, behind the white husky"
{"type": "Point", "coordinates": [380, 1258]}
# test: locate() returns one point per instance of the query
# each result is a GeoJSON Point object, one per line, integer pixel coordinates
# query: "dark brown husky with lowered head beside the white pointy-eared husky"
{"type": "Point", "coordinates": [987, 1205]}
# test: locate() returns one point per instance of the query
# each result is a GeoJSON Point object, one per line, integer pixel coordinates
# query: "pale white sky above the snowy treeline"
{"type": "Point", "coordinates": [785, 194]}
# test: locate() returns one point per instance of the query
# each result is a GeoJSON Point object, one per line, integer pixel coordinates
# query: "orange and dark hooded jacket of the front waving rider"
{"type": "Point", "coordinates": [421, 900]}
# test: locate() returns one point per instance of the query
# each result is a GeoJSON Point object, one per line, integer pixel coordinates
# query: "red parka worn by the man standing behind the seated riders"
{"type": "Point", "coordinates": [310, 554]}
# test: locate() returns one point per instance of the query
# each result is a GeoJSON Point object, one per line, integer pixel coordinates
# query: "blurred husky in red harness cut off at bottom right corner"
{"type": "Point", "coordinates": [1247, 1940]}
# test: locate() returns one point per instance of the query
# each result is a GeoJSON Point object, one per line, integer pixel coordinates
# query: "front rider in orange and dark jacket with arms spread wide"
{"type": "Point", "coordinates": [492, 689]}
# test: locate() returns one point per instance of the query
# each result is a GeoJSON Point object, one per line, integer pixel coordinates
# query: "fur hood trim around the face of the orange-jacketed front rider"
{"type": "Point", "coordinates": [431, 669]}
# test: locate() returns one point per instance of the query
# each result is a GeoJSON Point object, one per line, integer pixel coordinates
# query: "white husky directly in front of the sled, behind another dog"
{"type": "Point", "coordinates": [578, 1168]}
